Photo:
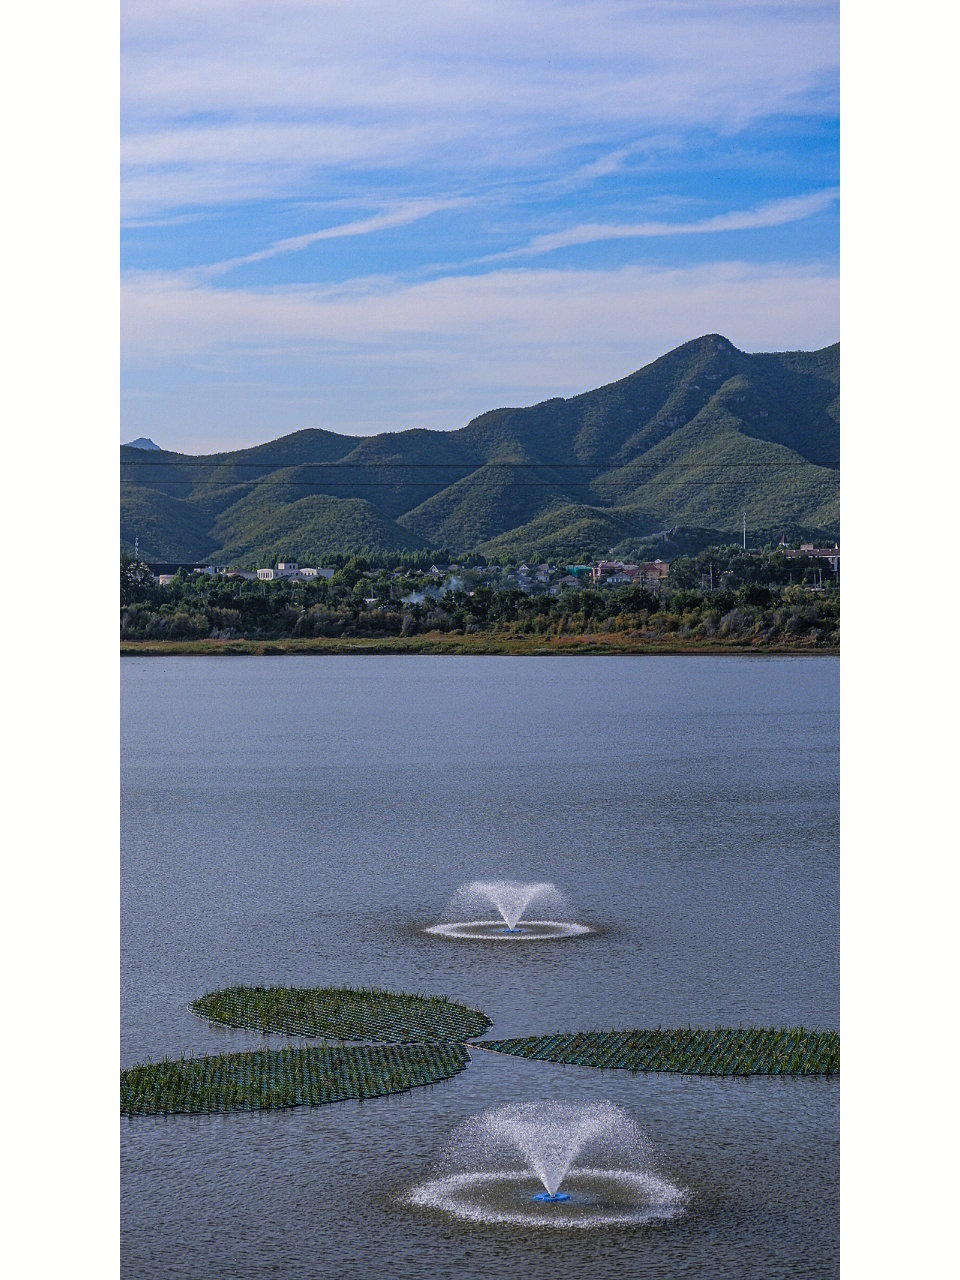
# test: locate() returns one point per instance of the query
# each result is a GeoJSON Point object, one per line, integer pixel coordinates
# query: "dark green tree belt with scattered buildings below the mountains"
{"type": "Point", "coordinates": [719, 595]}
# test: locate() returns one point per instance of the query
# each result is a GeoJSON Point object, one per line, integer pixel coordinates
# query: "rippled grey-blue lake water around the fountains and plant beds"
{"type": "Point", "coordinates": [301, 820]}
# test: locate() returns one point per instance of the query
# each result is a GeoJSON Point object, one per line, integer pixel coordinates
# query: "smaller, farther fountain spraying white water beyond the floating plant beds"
{"type": "Point", "coordinates": [511, 899]}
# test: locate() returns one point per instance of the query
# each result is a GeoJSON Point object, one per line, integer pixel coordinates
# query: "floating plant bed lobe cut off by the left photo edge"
{"type": "Point", "coordinates": [272, 1080]}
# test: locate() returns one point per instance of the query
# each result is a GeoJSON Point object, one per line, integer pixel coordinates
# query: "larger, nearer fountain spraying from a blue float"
{"type": "Point", "coordinates": [509, 1165]}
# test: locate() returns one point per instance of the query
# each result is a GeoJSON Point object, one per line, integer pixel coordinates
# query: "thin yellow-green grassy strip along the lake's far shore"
{"type": "Point", "coordinates": [479, 646]}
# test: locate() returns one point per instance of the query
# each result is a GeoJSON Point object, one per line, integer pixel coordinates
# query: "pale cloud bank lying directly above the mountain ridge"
{"type": "Point", "coordinates": [382, 355]}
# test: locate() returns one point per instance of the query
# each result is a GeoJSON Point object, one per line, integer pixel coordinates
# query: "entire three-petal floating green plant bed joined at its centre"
{"type": "Point", "coordinates": [427, 1039]}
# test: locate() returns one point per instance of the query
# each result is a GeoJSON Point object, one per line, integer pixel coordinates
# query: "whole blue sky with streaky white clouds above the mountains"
{"type": "Point", "coordinates": [371, 216]}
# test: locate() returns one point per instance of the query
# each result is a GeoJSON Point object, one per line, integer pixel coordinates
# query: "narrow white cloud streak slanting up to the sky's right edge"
{"type": "Point", "coordinates": [775, 213]}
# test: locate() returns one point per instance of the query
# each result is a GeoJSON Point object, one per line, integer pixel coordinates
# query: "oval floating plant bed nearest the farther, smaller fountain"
{"type": "Point", "coordinates": [342, 1013]}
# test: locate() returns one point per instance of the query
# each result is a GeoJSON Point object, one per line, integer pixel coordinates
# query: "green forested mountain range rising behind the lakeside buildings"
{"type": "Point", "coordinates": [702, 437]}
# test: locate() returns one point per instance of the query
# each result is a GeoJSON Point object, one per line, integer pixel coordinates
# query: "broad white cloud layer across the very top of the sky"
{"type": "Point", "coordinates": [232, 102]}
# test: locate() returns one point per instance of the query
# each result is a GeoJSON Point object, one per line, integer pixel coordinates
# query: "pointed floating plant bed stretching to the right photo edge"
{"type": "Point", "coordinates": [744, 1052]}
